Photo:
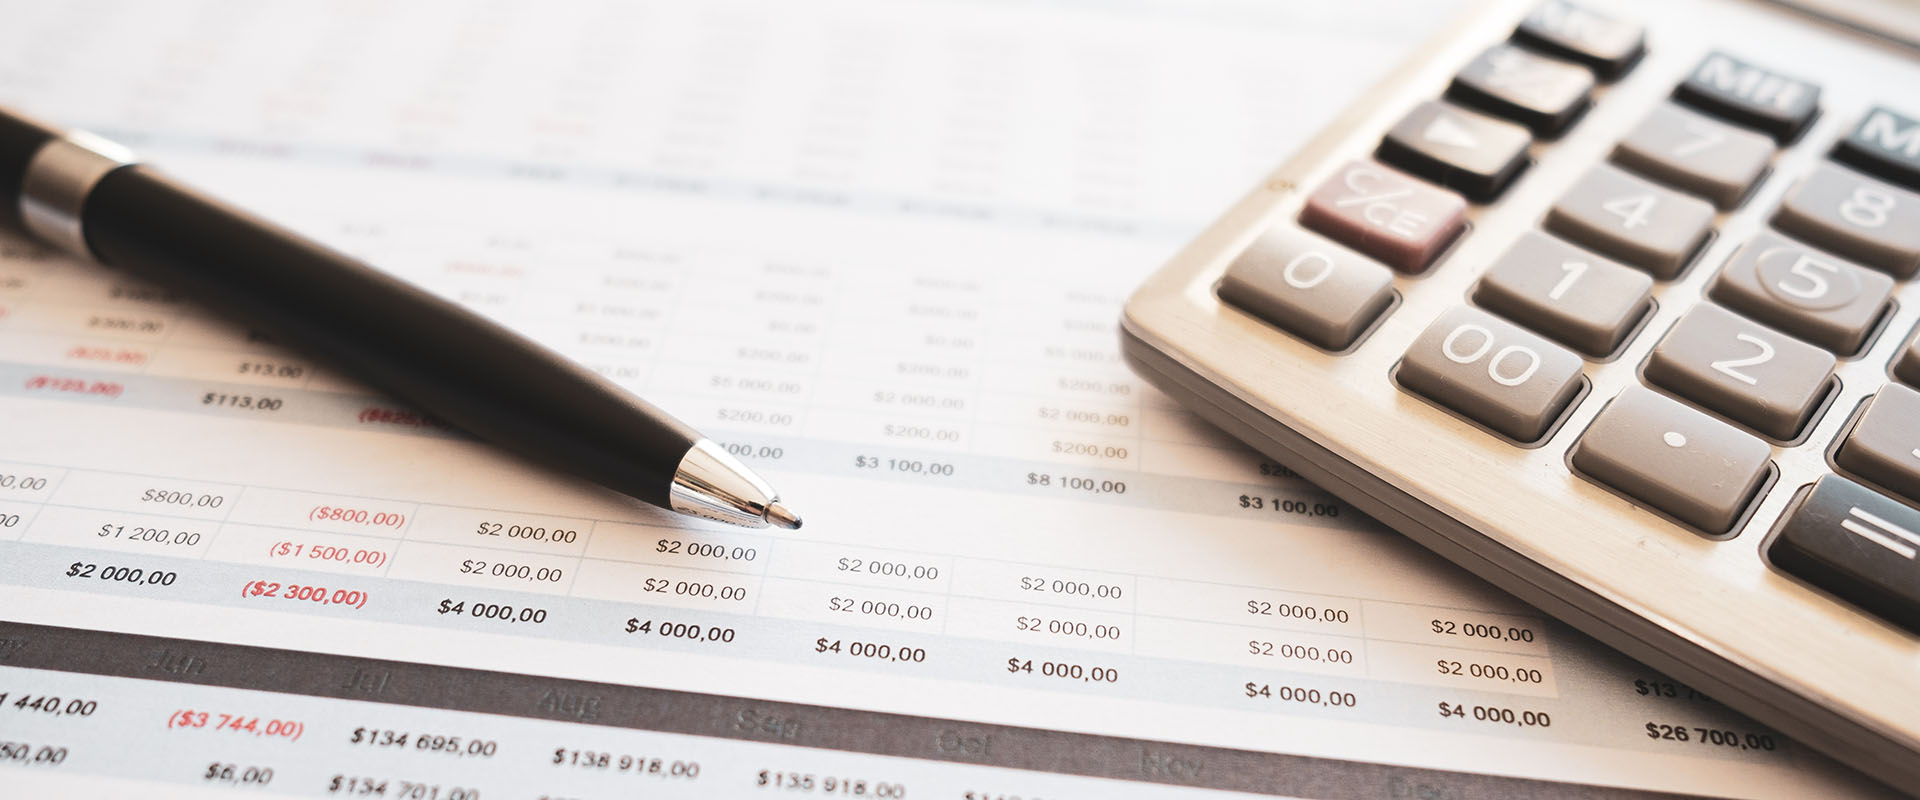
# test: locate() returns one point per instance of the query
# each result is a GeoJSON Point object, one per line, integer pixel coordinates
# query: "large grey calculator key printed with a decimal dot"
{"type": "Point", "coordinates": [1675, 459]}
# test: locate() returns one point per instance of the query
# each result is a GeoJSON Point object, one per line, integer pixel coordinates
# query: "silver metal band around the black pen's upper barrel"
{"type": "Point", "coordinates": [59, 179]}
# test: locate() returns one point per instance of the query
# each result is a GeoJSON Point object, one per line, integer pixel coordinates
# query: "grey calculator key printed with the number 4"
{"type": "Point", "coordinates": [1633, 220]}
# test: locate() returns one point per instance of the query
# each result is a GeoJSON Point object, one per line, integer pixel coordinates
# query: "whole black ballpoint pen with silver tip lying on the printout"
{"type": "Point", "coordinates": [87, 197]}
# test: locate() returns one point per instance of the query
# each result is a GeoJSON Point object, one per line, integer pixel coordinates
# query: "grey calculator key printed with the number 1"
{"type": "Point", "coordinates": [1572, 296]}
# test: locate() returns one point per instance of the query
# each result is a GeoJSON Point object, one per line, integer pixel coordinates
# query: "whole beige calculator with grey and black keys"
{"type": "Point", "coordinates": [1614, 306]}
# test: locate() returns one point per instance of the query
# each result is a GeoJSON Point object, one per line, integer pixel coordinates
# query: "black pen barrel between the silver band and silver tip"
{"type": "Point", "coordinates": [400, 339]}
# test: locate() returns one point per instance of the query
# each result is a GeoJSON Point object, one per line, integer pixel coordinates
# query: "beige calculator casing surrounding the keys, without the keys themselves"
{"type": "Point", "coordinates": [1710, 613]}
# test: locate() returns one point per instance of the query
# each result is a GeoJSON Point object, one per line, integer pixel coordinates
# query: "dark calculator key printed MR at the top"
{"type": "Point", "coordinates": [1748, 95]}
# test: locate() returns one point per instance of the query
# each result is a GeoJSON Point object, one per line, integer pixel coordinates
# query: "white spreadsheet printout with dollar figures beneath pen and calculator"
{"type": "Point", "coordinates": [878, 250]}
